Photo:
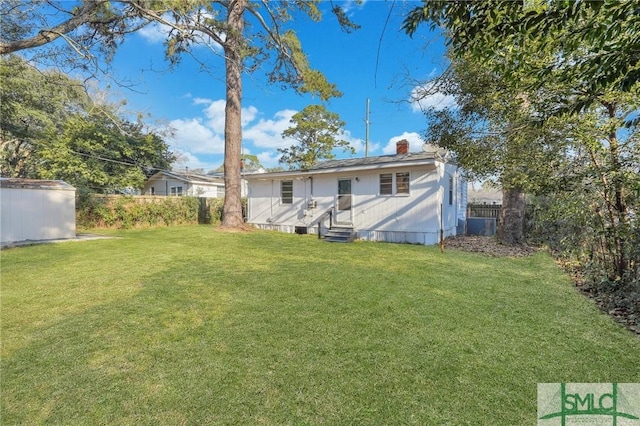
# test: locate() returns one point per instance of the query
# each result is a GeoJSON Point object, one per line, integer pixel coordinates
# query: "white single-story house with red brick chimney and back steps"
{"type": "Point", "coordinates": [407, 197]}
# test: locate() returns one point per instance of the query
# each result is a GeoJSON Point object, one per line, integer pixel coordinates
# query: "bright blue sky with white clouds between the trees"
{"type": "Point", "coordinates": [191, 100]}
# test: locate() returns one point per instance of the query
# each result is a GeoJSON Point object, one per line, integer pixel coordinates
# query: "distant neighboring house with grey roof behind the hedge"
{"type": "Point", "coordinates": [174, 183]}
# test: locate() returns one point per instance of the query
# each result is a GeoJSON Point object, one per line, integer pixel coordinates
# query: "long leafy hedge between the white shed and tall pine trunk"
{"type": "Point", "coordinates": [125, 211]}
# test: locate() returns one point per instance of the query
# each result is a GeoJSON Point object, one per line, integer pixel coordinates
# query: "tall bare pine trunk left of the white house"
{"type": "Point", "coordinates": [232, 208]}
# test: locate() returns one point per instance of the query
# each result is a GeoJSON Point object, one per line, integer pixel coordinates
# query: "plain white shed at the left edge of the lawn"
{"type": "Point", "coordinates": [36, 210]}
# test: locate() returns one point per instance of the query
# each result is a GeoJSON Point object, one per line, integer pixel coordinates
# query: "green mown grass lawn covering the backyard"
{"type": "Point", "coordinates": [188, 325]}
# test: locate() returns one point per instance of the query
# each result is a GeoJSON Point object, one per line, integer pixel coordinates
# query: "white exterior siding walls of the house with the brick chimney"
{"type": "Point", "coordinates": [412, 218]}
